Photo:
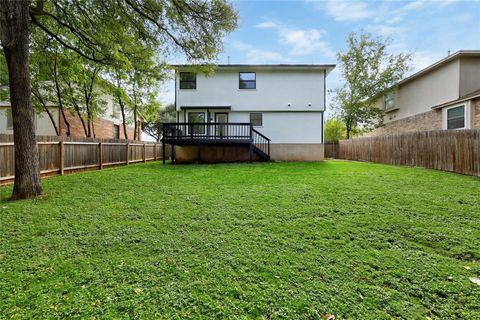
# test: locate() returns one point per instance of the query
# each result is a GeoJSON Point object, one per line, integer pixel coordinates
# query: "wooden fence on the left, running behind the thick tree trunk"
{"type": "Point", "coordinates": [60, 155]}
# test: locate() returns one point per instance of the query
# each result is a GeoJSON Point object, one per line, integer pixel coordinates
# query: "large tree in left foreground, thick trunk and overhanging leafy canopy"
{"type": "Point", "coordinates": [96, 30]}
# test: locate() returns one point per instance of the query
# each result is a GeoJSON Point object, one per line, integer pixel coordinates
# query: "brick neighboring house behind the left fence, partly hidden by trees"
{"type": "Point", "coordinates": [107, 125]}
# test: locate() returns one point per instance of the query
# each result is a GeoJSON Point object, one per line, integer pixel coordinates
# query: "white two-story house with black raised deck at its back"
{"type": "Point", "coordinates": [248, 112]}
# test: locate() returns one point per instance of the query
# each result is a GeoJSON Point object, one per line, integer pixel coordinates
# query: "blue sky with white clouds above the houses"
{"type": "Point", "coordinates": [307, 31]}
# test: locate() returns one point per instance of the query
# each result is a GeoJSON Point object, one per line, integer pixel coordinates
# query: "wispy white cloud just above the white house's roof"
{"type": "Point", "coordinates": [302, 41]}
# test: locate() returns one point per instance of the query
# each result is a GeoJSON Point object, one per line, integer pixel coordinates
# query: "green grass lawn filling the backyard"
{"type": "Point", "coordinates": [261, 240]}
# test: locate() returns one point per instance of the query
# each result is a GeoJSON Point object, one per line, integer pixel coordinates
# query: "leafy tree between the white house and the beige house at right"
{"type": "Point", "coordinates": [368, 70]}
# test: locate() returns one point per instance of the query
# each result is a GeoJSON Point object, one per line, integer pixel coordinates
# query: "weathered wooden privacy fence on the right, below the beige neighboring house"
{"type": "Point", "coordinates": [447, 150]}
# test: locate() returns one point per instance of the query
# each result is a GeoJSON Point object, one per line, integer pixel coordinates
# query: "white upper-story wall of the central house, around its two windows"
{"type": "Point", "coordinates": [275, 89]}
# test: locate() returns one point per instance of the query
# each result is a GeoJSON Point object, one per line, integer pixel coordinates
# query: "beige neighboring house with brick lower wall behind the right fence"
{"type": "Point", "coordinates": [445, 95]}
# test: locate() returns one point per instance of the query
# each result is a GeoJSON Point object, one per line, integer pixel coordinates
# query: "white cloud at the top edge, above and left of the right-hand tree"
{"type": "Point", "coordinates": [348, 10]}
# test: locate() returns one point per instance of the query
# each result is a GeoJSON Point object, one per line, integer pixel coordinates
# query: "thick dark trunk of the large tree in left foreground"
{"type": "Point", "coordinates": [14, 35]}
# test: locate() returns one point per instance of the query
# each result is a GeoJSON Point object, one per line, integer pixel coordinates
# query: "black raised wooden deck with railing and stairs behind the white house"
{"type": "Point", "coordinates": [216, 134]}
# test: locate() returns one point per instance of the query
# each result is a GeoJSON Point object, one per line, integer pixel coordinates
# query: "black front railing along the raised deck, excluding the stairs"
{"type": "Point", "coordinates": [205, 131]}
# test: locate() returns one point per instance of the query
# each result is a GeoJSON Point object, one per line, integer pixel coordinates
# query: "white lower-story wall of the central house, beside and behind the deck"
{"type": "Point", "coordinates": [280, 127]}
